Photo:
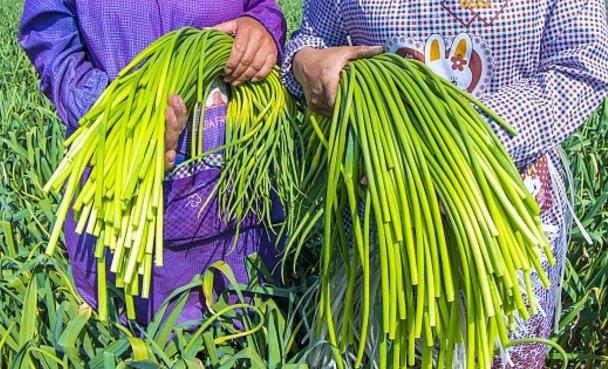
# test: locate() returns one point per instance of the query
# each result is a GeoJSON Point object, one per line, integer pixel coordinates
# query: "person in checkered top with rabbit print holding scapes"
{"type": "Point", "coordinates": [542, 65]}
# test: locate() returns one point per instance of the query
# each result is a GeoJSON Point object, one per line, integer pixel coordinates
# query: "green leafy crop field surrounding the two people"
{"type": "Point", "coordinates": [44, 324]}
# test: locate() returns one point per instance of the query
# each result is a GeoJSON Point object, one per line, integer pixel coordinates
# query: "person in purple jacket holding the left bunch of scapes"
{"type": "Point", "coordinates": [79, 46]}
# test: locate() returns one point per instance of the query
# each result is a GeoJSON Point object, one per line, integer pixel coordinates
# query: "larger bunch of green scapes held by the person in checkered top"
{"type": "Point", "coordinates": [442, 224]}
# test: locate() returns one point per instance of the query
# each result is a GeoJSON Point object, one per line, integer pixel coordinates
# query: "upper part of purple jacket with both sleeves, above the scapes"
{"type": "Point", "coordinates": [78, 46]}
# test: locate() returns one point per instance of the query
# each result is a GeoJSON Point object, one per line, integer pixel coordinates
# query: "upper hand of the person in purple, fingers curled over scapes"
{"type": "Point", "coordinates": [254, 52]}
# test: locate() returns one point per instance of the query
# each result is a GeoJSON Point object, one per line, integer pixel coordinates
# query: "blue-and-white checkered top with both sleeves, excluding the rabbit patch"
{"type": "Point", "coordinates": [545, 63]}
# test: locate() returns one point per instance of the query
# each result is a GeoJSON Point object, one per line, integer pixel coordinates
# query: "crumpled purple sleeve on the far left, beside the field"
{"type": "Point", "coordinates": [49, 35]}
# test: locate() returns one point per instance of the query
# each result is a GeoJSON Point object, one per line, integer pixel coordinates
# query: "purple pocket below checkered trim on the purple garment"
{"type": "Point", "coordinates": [184, 197]}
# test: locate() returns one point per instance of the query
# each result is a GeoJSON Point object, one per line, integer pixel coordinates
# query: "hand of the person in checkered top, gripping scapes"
{"type": "Point", "coordinates": [318, 71]}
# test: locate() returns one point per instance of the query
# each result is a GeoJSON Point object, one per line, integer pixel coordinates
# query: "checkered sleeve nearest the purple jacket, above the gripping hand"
{"type": "Point", "coordinates": [321, 27]}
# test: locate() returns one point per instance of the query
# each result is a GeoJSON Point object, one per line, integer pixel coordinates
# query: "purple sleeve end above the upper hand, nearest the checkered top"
{"type": "Point", "coordinates": [269, 14]}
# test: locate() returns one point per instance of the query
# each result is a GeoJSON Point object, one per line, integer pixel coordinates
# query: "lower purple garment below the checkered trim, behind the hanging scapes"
{"type": "Point", "coordinates": [191, 245]}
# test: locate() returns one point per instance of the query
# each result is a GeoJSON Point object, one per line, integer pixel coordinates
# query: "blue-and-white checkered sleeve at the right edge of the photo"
{"type": "Point", "coordinates": [572, 80]}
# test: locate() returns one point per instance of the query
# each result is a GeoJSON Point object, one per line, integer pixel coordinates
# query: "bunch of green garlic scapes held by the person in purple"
{"type": "Point", "coordinates": [130, 138]}
